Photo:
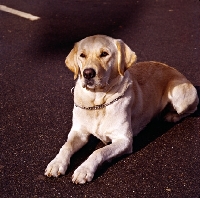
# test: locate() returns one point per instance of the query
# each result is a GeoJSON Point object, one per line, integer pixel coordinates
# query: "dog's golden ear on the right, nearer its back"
{"type": "Point", "coordinates": [126, 57]}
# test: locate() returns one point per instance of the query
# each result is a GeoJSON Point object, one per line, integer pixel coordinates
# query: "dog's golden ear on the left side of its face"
{"type": "Point", "coordinates": [71, 61]}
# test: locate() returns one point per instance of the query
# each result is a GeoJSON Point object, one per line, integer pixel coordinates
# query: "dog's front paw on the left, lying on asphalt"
{"type": "Point", "coordinates": [56, 167]}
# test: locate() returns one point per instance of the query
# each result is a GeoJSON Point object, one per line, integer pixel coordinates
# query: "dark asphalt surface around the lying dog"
{"type": "Point", "coordinates": [36, 103]}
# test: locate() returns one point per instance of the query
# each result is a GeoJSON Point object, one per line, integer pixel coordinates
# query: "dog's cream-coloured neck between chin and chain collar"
{"type": "Point", "coordinates": [88, 98]}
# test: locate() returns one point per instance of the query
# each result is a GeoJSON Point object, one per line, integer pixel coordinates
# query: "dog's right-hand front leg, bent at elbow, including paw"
{"type": "Point", "coordinates": [85, 172]}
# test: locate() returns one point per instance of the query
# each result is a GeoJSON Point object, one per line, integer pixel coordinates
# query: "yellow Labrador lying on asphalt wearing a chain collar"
{"type": "Point", "coordinates": [114, 99]}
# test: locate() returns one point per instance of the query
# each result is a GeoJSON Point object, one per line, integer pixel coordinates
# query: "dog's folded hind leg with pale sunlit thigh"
{"type": "Point", "coordinates": [184, 100]}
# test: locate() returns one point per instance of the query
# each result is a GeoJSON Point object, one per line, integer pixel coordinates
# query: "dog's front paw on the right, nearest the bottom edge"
{"type": "Point", "coordinates": [82, 175]}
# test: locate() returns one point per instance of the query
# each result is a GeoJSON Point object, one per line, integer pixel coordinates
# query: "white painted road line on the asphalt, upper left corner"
{"type": "Point", "coordinates": [19, 13]}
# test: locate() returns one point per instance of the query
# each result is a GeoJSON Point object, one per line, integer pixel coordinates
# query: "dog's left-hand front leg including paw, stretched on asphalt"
{"type": "Point", "coordinates": [59, 164]}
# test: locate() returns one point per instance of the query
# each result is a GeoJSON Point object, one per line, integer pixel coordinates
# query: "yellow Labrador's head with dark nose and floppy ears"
{"type": "Point", "coordinates": [98, 59]}
